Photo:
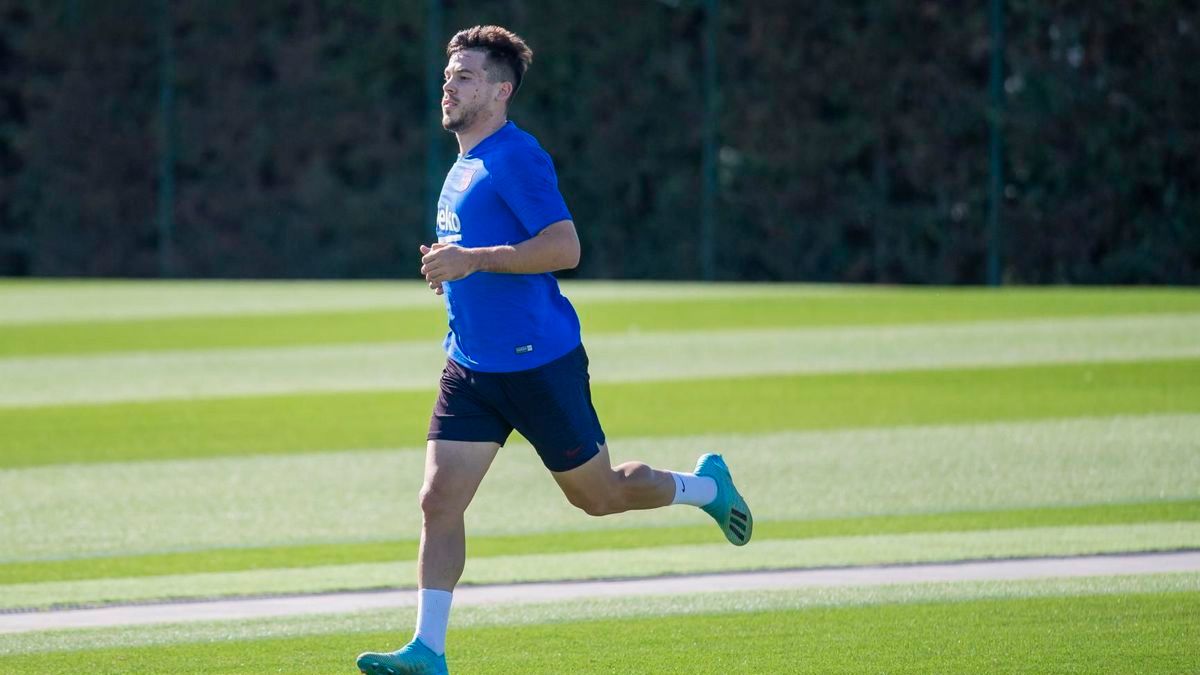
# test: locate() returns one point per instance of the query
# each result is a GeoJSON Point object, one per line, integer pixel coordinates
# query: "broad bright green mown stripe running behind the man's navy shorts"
{"type": "Point", "coordinates": [331, 422]}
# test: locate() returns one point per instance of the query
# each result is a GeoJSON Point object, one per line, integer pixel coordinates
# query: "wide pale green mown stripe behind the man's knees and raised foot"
{"type": "Point", "coordinates": [333, 498]}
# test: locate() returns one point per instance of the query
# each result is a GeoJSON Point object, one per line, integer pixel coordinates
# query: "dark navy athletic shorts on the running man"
{"type": "Point", "coordinates": [550, 405]}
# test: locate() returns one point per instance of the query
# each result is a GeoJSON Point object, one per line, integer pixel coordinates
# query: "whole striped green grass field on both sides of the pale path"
{"type": "Point", "coordinates": [205, 440]}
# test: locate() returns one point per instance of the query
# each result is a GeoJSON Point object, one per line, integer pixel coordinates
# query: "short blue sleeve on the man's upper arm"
{"type": "Point", "coordinates": [527, 183]}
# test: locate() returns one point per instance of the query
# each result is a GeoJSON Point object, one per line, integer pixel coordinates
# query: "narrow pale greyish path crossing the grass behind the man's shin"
{"type": "Point", "coordinates": [529, 594]}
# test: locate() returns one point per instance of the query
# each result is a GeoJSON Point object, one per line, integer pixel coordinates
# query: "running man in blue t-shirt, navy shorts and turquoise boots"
{"type": "Point", "coordinates": [515, 355]}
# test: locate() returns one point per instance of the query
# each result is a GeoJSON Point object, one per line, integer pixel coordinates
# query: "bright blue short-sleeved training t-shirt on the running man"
{"type": "Point", "coordinates": [502, 193]}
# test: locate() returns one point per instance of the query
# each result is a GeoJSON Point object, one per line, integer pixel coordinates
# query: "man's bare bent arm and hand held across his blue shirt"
{"type": "Point", "coordinates": [557, 247]}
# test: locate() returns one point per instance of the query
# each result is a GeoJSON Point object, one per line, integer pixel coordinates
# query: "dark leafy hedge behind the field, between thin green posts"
{"type": "Point", "coordinates": [854, 138]}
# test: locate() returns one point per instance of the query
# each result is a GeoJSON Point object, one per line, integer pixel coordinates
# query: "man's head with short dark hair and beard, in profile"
{"type": "Point", "coordinates": [485, 69]}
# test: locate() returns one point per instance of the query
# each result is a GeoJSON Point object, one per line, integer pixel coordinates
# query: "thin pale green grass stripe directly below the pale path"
{"type": "Point", "coordinates": [400, 622]}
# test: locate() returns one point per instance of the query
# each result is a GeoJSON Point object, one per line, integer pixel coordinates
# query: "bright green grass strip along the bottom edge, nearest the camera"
{"type": "Point", "coordinates": [1147, 634]}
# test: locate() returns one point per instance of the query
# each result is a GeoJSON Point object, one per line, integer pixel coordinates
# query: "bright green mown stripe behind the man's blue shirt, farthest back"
{"type": "Point", "coordinates": [691, 313]}
